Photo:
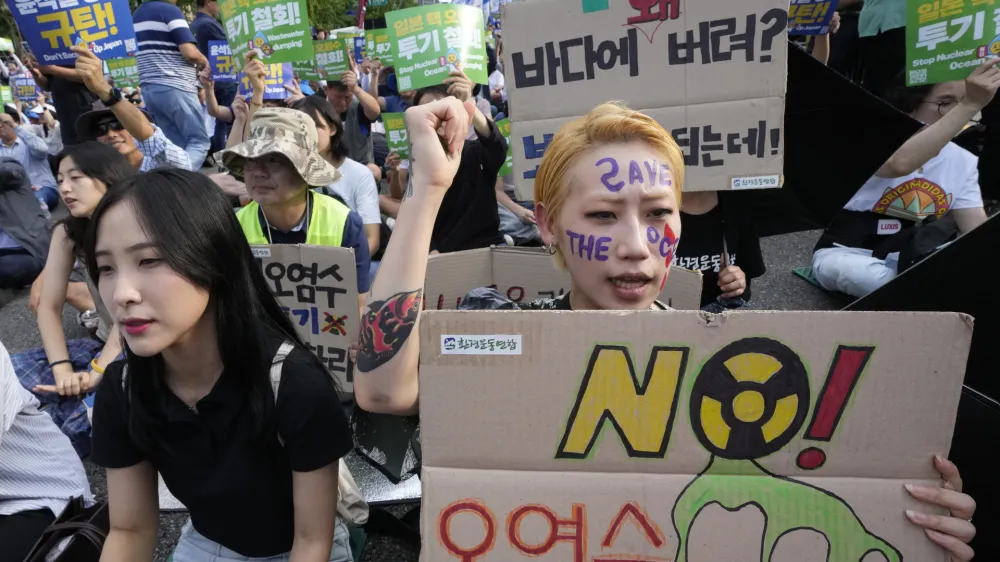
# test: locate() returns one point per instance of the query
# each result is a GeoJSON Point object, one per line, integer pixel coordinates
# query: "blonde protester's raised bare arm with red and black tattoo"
{"type": "Point", "coordinates": [389, 347]}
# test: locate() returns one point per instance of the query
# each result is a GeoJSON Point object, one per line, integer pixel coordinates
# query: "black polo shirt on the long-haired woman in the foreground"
{"type": "Point", "coordinates": [238, 491]}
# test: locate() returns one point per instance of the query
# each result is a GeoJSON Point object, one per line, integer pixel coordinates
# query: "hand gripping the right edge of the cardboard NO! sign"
{"type": "Point", "coordinates": [953, 531]}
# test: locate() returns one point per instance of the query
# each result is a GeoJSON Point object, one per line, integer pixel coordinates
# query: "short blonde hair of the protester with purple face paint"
{"type": "Point", "coordinates": [607, 123]}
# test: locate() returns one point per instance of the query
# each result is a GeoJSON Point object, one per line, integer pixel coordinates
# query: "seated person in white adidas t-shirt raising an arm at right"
{"type": "Point", "coordinates": [929, 179]}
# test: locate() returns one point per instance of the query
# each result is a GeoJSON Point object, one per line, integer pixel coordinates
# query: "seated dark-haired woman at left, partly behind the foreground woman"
{"type": "Point", "coordinates": [62, 372]}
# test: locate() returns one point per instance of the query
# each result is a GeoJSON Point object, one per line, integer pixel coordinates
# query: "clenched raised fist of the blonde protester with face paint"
{"type": "Point", "coordinates": [437, 135]}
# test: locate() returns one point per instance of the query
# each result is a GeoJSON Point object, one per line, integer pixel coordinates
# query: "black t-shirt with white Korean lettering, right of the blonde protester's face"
{"type": "Point", "coordinates": [700, 247]}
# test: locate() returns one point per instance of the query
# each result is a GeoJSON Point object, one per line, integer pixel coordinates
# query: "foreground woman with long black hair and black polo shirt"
{"type": "Point", "coordinates": [217, 391]}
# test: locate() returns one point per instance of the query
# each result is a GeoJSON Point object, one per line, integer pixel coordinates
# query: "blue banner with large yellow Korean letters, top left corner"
{"type": "Point", "coordinates": [51, 28]}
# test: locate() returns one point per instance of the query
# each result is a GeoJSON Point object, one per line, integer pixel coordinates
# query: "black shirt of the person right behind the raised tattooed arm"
{"type": "Point", "coordinates": [468, 216]}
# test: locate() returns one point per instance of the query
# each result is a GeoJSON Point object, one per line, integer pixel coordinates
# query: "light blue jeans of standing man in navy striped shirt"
{"type": "Point", "coordinates": [178, 114]}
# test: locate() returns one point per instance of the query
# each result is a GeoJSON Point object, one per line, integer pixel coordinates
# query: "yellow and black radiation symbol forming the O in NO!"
{"type": "Point", "coordinates": [749, 399]}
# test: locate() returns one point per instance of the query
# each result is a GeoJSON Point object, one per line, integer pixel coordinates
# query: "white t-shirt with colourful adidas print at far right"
{"type": "Point", "coordinates": [948, 181]}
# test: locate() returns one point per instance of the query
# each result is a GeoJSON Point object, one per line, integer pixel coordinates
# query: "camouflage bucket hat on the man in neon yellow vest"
{"type": "Point", "coordinates": [288, 132]}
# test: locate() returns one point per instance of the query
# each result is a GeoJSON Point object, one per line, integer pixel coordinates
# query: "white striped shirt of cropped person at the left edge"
{"type": "Point", "coordinates": [39, 468]}
